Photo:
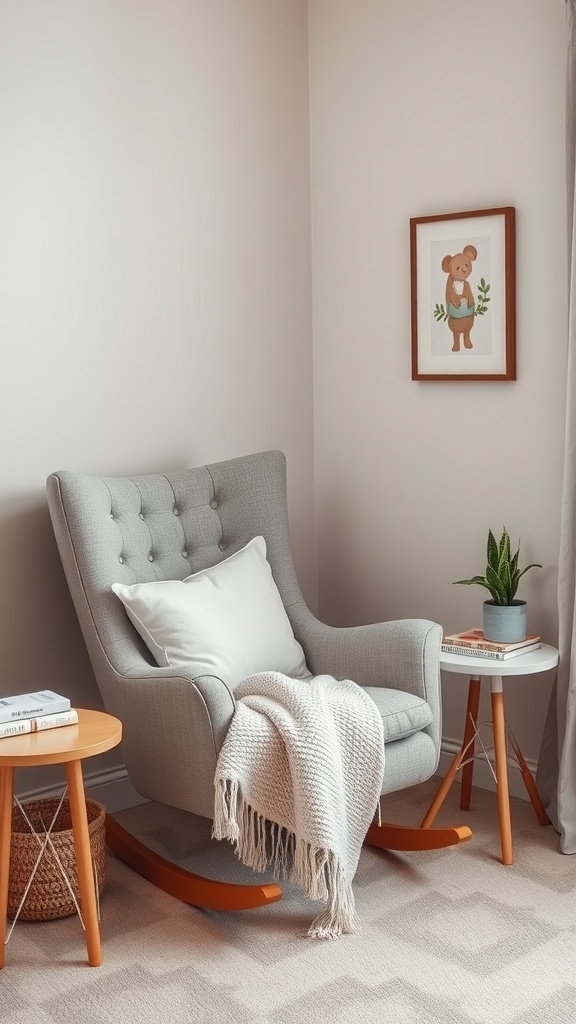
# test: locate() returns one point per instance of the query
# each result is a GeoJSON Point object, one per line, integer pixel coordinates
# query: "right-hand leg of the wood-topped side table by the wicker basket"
{"type": "Point", "coordinates": [85, 862]}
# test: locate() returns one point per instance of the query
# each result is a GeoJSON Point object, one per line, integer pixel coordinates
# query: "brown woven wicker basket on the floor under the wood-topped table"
{"type": "Point", "coordinates": [49, 897]}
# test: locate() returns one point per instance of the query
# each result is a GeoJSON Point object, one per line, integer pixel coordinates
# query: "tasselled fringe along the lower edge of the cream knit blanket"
{"type": "Point", "coordinates": [261, 843]}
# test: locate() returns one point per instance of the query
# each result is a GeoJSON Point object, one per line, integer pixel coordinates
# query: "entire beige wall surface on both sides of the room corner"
{"type": "Point", "coordinates": [155, 212]}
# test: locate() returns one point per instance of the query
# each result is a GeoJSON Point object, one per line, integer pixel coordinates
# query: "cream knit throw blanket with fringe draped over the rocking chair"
{"type": "Point", "coordinates": [298, 785]}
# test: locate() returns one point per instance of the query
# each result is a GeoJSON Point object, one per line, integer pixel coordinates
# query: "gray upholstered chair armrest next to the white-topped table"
{"type": "Point", "coordinates": [403, 655]}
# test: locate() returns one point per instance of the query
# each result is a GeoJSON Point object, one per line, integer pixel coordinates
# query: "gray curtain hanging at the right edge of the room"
{"type": "Point", "coordinates": [557, 764]}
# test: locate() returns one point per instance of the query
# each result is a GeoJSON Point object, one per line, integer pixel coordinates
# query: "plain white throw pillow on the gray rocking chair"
{"type": "Point", "coordinates": [227, 621]}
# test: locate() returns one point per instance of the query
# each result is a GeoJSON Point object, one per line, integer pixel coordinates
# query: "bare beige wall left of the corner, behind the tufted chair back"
{"type": "Point", "coordinates": [155, 272]}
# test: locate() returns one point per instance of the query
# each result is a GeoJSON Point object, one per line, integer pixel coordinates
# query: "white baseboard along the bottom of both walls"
{"type": "Point", "coordinates": [114, 790]}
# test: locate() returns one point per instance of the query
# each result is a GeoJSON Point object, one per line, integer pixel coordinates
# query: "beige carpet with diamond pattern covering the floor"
{"type": "Point", "coordinates": [451, 937]}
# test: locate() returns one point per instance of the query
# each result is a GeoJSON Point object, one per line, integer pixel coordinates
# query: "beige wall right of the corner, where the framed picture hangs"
{"type": "Point", "coordinates": [421, 109]}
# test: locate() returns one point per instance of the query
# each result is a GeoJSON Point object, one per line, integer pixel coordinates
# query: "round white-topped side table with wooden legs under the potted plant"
{"type": "Point", "coordinates": [543, 660]}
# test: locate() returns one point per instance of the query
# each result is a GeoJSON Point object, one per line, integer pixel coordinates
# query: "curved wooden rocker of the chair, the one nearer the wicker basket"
{"type": "Point", "coordinates": [186, 886]}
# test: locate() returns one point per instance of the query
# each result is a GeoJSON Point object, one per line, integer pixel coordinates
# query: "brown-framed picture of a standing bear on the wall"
{"type": "Point", "coordinates": [463, 277]}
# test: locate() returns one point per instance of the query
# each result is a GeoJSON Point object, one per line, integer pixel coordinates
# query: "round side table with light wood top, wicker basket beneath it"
{"type": "Point", "coordinates": [95, 734]}
